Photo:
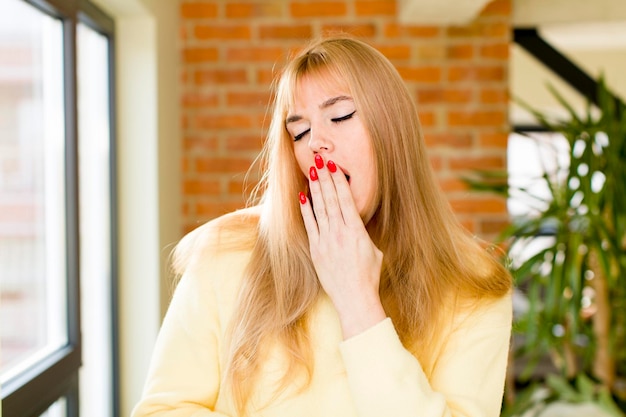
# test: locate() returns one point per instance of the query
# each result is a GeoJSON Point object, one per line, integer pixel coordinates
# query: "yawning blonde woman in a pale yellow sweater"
{"type": "Point", "coordinates": [350, 289]}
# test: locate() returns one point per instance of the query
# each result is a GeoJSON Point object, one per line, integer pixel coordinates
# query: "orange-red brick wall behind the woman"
{"type": "Point", "coordinates": [231, 49]}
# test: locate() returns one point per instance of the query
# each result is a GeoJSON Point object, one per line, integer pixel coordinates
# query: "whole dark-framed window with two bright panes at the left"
{"type": "Point", "coordinates": [55, 118]}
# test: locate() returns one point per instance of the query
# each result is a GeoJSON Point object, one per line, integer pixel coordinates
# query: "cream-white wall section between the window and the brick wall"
{"type": "Point", "coordinates": [148, 176]}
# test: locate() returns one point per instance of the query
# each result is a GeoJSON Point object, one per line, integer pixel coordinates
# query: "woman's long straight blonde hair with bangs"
{"type": "Point", "coordinates": [429, 259]}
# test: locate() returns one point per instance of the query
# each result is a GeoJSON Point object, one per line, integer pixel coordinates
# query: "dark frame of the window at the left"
{"type": "Point", "coordinates": [55, 377]}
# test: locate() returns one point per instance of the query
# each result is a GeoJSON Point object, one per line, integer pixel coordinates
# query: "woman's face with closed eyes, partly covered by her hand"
{"type": "Point", "coordinates": [325, 121]}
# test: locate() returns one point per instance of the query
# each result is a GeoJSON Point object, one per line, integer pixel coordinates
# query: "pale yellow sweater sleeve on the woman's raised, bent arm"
{"type": "Point", "coordinates": [467, 380]}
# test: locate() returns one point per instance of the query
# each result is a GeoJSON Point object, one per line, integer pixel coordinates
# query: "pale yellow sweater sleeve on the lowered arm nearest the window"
{"type": "Point", "coordinates": [184, 374]}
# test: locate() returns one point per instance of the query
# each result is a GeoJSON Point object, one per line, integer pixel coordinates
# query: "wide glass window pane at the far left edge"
{"type": "Point", "coordinates": [32, 187]}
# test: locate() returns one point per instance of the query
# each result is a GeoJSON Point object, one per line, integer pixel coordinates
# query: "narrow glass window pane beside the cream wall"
{"type": "Point", "coordinates": [95, 222]}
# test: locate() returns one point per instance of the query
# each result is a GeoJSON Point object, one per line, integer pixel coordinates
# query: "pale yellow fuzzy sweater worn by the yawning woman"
{"type": "Point", "coordinates": [371, 374]}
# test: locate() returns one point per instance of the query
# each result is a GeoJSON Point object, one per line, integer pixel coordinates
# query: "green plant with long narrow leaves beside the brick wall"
{"type": "Point", "coordinates": [576, 284]}
